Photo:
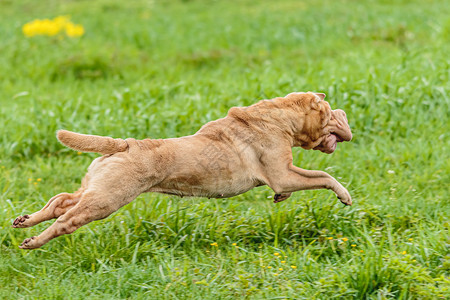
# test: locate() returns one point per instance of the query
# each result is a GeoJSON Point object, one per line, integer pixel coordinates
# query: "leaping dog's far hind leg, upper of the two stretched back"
{"type": "Point", "coordinates": [55, 207]}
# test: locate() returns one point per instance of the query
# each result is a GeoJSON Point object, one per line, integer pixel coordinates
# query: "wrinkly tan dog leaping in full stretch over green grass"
{"type": "Point", "coordinates": [250, 147]}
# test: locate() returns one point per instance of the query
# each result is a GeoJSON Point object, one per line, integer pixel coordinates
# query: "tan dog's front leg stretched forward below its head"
{"type": "Point", "coordinates": [297, 179]}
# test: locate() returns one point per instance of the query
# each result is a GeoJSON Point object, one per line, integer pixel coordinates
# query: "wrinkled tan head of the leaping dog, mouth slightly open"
{"type": "Point", "coordinates": [320, 128]}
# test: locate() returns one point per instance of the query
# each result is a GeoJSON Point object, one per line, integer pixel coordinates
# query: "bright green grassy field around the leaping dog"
{"type": "Point", "coordinates": [162, 69]}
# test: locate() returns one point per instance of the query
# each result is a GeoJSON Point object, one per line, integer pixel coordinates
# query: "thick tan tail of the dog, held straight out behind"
{"type": "Point", "coordinates": [91, 143]}
